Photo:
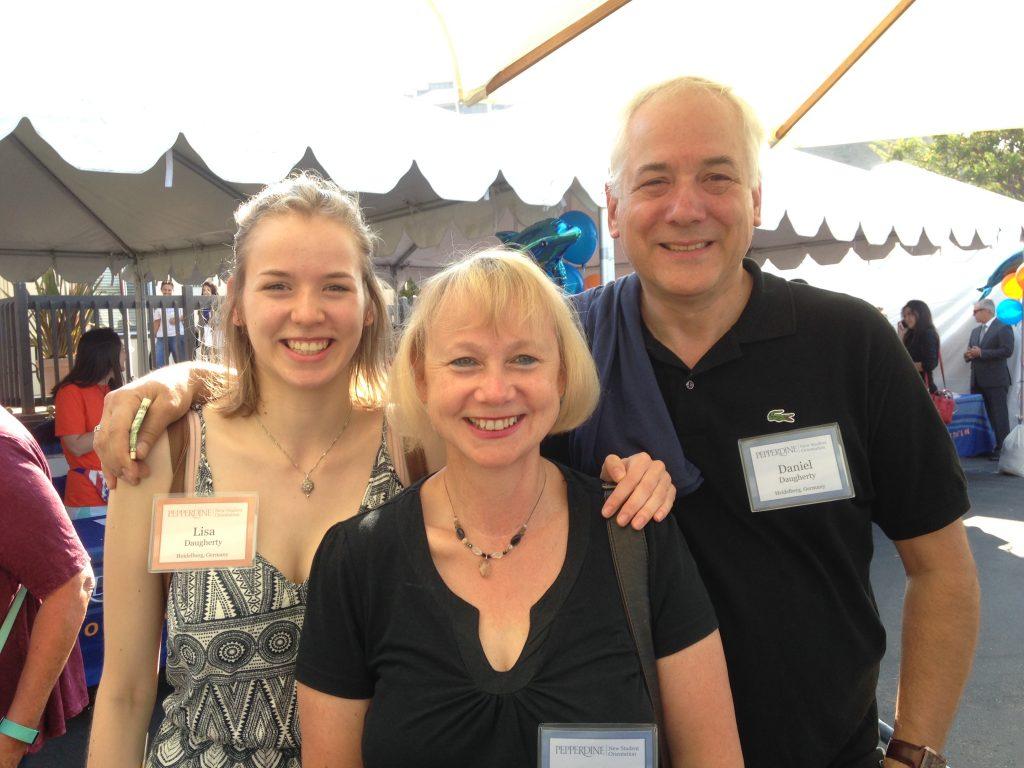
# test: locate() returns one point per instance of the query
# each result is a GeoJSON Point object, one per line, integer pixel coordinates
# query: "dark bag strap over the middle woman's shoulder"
{"type": "Point", "coordinates": [629, 556]}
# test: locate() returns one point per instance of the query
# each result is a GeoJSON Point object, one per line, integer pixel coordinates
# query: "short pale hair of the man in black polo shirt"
{"type": "Point", "coordinates": [753, 132]}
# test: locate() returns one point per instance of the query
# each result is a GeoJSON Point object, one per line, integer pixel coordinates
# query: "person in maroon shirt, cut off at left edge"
{"type": "Point", "coordinates": [42, 682]}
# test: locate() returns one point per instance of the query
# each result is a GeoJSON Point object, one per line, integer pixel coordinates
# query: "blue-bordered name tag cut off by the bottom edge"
{"type": "Point", "coordinates": [598, 746]}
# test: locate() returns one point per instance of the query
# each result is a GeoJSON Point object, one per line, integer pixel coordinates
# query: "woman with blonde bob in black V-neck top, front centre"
{"type": "Point", "coordinates": [446, 626]}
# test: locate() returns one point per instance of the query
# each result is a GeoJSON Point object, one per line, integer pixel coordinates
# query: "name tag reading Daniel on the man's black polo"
{"type": "Point", "coordinates": [795, 468]}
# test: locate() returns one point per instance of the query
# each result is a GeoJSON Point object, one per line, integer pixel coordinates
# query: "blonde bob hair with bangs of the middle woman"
{"type": "Point", "coordinates": [504, 287]}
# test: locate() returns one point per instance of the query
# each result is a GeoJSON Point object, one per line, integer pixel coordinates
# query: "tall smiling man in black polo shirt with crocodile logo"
{"type": "Point", "coordinates": [806, 421]}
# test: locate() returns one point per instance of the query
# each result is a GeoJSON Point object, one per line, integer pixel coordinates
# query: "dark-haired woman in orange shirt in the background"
{"type": "Point", "coordinates": [79, 404]}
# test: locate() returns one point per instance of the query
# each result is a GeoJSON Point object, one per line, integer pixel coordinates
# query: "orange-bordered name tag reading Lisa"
{"type": "Point", "coordinates": [190, 533]}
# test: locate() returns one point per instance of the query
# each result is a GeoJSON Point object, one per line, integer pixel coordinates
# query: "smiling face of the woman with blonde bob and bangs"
{"type": "Point", "coordinates": [491, 394]}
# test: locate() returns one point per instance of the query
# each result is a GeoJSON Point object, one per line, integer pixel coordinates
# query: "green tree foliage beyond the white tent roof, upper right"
{"type": "Point", "coordinates": [992, 160]}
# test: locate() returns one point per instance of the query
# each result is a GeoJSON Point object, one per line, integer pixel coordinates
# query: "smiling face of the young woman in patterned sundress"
{"type": "Point", "coordinates": [304, 306]}
